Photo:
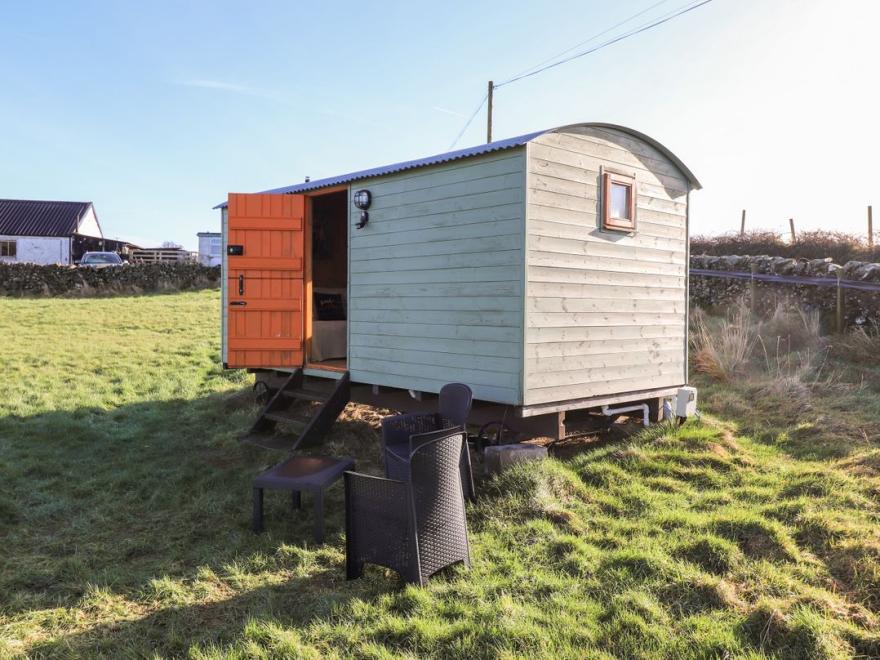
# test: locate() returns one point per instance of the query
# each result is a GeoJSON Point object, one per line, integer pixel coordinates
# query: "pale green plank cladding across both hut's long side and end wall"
{"type": "Point", "coordinates": [493, 271]}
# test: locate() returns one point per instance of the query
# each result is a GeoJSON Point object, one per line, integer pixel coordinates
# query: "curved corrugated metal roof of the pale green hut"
{"type": "Point", "coordinates": [478, 150]}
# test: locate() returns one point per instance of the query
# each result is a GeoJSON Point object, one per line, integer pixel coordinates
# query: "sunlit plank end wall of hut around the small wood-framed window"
{"type": "Point", "coordinates": [605, 312]}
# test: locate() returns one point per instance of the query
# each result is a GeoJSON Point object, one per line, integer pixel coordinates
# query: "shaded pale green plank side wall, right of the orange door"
{"type": "Point", "coordinates": [436, 278]}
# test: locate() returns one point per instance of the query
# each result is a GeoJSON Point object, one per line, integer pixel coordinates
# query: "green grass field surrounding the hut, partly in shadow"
{"type": "Point", "coordinates": [125, 504]}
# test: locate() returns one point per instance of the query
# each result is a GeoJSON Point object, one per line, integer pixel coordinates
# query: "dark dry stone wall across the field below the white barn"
{"type": "Point", "coordinates": [35, 280]}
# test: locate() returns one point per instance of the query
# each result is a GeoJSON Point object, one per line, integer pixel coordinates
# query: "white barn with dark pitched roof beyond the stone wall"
{"type": "Point", "coordinates": [48, 232]}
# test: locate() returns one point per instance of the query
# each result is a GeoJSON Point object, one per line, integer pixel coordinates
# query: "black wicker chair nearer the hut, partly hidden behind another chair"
{"type": "Point", "coordinates": [454, 406]}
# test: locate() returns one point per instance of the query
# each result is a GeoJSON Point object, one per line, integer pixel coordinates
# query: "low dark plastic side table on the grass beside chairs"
{"type": "Point", "coordinates": [312, 473]}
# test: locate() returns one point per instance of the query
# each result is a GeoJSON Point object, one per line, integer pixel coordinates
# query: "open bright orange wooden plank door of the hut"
{"type": "Point", "coordinates": [265, 247]}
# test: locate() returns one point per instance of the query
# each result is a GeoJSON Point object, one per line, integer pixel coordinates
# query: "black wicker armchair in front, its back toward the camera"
{"type": "Point", "coordinates": [415, 526]}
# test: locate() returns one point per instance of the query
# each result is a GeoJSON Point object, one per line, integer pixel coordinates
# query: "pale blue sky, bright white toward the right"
{"type": "Point", "coordinates": [156, 110]}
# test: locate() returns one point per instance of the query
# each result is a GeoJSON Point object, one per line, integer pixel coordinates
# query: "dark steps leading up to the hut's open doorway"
{"type": "Point", "coordinates": [305, 406]}
